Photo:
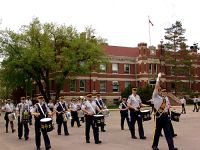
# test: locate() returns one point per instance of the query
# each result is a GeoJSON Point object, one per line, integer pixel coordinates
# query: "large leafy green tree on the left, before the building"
{"type": "Point", "coordinates": [40, 52]}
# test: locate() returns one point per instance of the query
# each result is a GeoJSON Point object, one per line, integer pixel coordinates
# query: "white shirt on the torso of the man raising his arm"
{"type": "Point", "coordinates": [158, 100]}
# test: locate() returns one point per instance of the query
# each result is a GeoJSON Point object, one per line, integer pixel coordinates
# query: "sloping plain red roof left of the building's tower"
{"type": "Point", "coordinates": [122, 51]}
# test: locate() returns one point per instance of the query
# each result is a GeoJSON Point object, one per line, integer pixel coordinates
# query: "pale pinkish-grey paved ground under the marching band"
{"type": "Point", "coordinates": [188, 130]}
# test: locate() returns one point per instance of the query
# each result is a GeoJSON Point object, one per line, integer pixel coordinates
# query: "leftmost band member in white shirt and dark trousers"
{"type": "Point", "coordinates": [8, 108]}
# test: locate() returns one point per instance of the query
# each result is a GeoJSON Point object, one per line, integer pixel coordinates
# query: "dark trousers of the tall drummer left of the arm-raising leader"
{"type": "Point", "coordinates": [136, 116]}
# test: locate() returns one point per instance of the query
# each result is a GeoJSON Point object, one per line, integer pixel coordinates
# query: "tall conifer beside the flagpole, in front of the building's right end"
{"type": "Point", "coordinates": [174, 36]}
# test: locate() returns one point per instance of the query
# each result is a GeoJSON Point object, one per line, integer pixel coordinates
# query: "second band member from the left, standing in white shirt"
{"type": "Point", "coordinates": [23, 110]}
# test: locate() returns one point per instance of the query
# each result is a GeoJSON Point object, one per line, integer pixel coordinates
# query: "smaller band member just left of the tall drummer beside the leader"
{"type": "Point", "coordinates": [124, 113]}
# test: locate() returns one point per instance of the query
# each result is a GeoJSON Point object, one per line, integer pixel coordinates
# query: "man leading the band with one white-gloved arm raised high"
{"type": "Point", "coordinates": [161, 117]}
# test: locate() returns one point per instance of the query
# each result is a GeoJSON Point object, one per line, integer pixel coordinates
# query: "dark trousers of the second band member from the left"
{"type": "Point", "coordinates": [20, 128]}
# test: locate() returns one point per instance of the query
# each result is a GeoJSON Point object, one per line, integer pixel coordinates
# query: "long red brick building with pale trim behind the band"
{"type": "Point", "coordinates": [137, 66]}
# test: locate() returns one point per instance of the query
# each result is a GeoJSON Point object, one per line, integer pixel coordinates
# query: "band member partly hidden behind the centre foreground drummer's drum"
{"type": "Point", "coordinates": [101, 106]}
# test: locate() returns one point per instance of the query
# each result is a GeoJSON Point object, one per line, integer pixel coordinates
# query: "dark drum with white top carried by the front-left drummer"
{"type": "Point", "coordinates": [46, 124]}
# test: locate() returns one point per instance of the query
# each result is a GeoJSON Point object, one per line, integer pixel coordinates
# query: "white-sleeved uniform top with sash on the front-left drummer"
{"type": "Point", "coordinates": [37, 109]}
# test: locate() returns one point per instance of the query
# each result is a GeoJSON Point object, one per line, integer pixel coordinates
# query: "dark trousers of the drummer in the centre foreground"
{"type": "Point", "coordinates": [89, 121]}
